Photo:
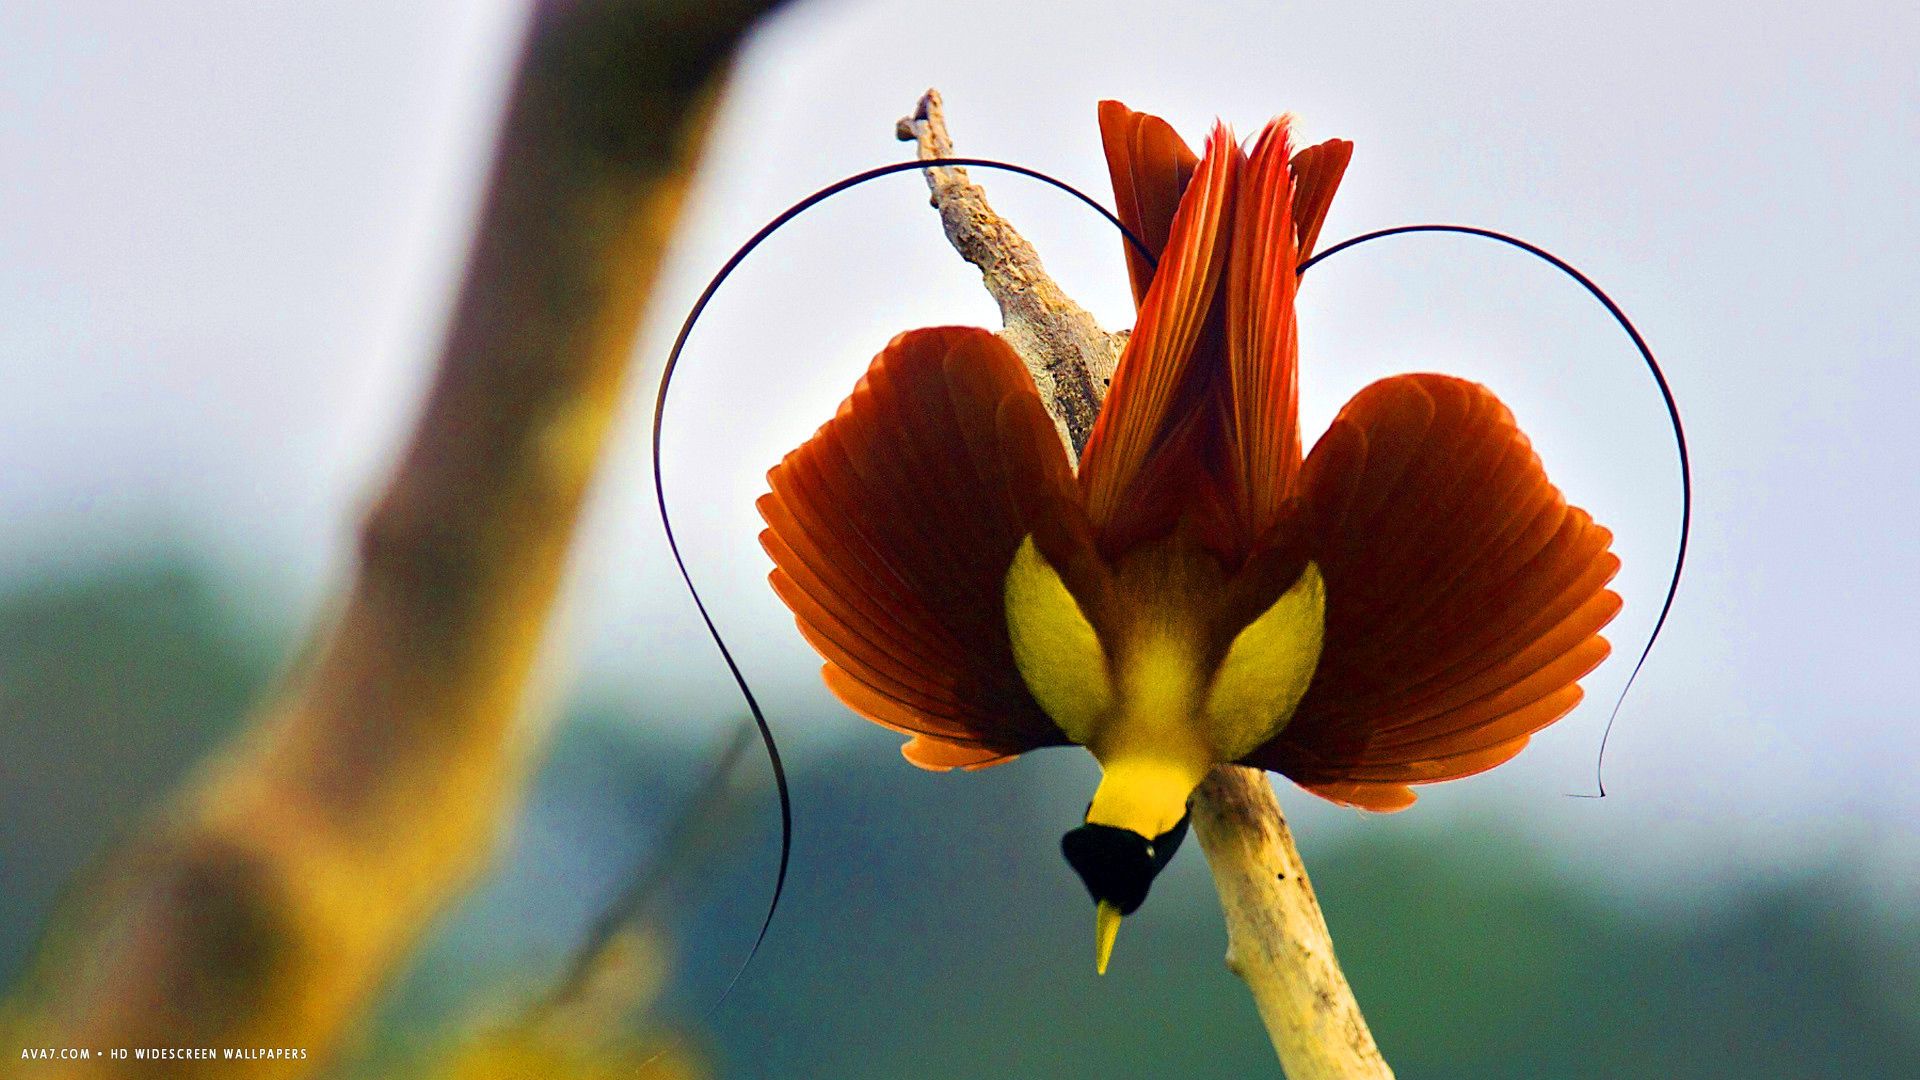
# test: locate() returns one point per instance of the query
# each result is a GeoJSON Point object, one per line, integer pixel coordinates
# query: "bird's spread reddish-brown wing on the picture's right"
{"type": "Point", "coordinates": [1464, 595]}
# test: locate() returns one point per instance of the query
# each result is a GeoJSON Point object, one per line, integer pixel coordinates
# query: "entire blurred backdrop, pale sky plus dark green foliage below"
{"type": "Point", "coordinates": [226, 249]}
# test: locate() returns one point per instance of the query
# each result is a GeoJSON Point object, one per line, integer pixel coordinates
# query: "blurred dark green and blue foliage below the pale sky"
{"type": "Point", "coordinates": [932, 931]}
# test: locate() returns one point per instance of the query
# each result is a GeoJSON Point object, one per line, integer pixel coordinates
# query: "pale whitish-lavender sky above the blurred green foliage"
{"type": "Point", "coordinates": [228, 237]}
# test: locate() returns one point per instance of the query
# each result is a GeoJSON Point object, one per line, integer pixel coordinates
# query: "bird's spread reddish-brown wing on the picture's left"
{"type": "Point", "coordinates": [892, 533]}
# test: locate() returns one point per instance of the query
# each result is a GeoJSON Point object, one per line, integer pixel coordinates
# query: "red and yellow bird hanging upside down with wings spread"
{"type": "Point", "coordinates": [1406, 604]}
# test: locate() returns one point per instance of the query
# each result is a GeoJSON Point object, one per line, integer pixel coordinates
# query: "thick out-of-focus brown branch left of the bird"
{"type": "Point", "coordinates": [281, 889]}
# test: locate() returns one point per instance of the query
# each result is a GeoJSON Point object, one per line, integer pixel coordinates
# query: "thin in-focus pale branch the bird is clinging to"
{"type": "Point", "coordinates": [1278, 941]}
